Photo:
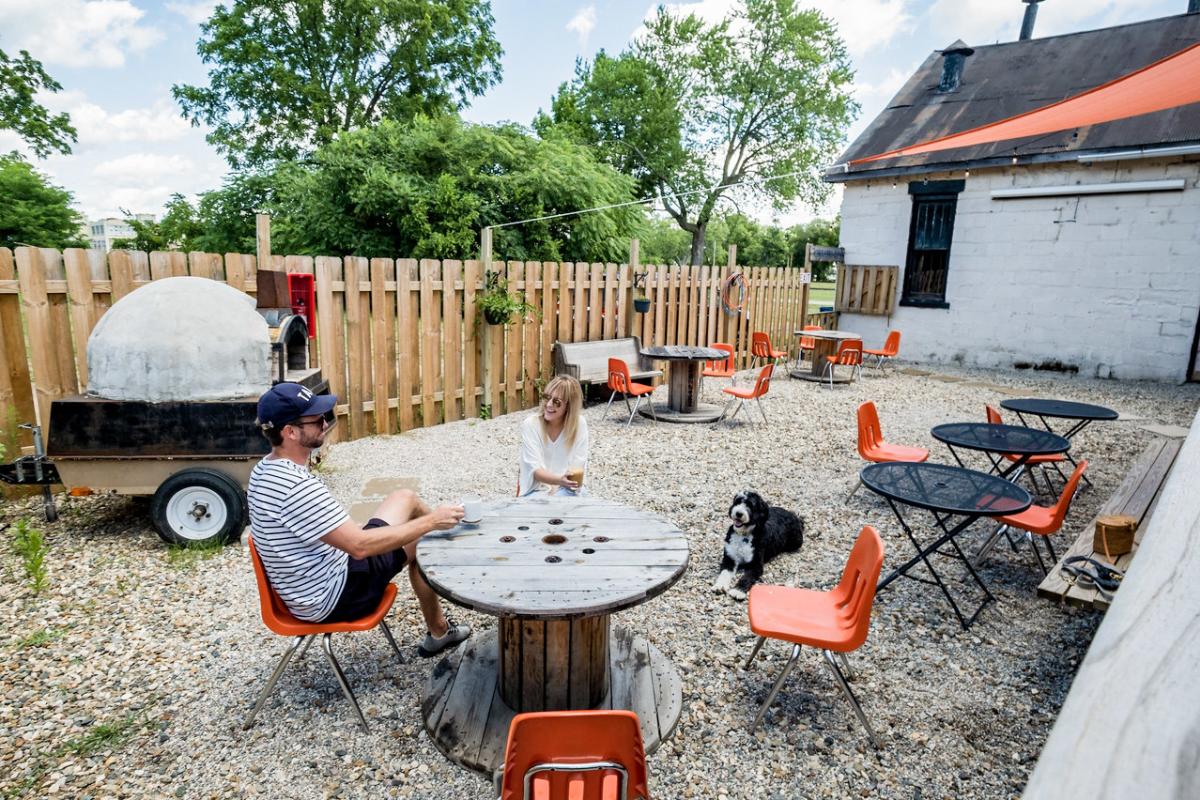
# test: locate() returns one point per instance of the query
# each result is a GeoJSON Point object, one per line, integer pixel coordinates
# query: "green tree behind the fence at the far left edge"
{"type": "Point", "coordinates": [34, 212]}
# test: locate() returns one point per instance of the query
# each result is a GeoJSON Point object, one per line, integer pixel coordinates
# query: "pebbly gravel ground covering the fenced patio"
{"type": "Point", "coordinates": [130, 675]}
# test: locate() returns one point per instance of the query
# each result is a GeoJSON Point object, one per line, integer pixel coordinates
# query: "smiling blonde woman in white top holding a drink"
{"type": "Point", "coordinates": [555, 440]}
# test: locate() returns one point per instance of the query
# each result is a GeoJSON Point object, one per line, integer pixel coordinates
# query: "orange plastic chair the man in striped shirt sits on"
{"type": "Point", "coordinates": [280, 621]}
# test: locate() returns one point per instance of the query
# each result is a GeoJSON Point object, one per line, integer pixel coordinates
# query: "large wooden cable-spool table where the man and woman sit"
{"type": "Point", "coordinates": [554, 570]}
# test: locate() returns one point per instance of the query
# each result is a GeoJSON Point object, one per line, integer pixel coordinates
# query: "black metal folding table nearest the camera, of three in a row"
{"type": "Point", "coordinates": [947, 492]}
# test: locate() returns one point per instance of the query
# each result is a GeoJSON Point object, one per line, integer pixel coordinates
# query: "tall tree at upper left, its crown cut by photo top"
{"type": "Point", "coordinates": [290, 75]}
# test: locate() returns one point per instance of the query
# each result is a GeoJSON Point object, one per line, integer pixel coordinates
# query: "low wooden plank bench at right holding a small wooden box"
{"type": "Point", "coordinates": [1137, 497]}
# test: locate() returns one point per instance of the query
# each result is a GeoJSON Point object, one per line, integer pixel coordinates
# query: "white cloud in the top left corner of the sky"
{"type": "Point", "coordinates": [76, 33]}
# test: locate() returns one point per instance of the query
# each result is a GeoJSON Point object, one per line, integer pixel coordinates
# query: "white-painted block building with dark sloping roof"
{"type": "Point", "coordinates": [1077, 250]}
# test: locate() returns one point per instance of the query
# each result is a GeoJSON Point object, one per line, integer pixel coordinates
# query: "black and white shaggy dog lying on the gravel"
{"type": "Point", "coordinates": [758, 534]}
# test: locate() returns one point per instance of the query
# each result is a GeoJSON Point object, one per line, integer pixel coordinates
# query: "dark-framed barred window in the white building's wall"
{"type": "Point", "coordinates": [931, 233]}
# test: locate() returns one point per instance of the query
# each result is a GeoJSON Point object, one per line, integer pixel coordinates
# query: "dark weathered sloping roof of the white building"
{"type": "Point", "coordinates": [1003, 81]}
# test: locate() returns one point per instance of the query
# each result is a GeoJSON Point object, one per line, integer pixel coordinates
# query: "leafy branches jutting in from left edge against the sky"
{"type": "Point", "coordinates": [20, 79]}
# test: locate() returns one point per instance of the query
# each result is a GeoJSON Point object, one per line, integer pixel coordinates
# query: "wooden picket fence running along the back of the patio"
{"type": "Point", "coordinates": [397, 339]}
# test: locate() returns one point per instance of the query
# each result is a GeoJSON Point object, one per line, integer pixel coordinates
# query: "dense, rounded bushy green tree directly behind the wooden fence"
{"type": "Point", "coordinates": [424, 190]}
